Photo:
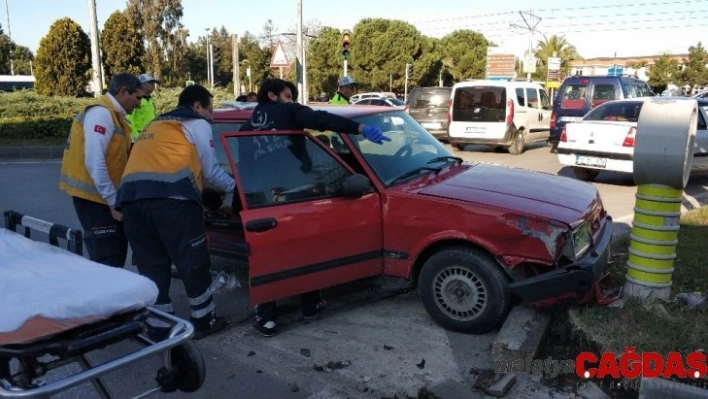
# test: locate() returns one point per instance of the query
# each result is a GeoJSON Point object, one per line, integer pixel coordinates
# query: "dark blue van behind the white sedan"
{"type": "Point", "coordinates": [580, 94]}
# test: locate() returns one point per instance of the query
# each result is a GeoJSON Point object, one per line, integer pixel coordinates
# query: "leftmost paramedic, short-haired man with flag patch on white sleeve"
{"type": "Point", "coordinates": [94, 158]}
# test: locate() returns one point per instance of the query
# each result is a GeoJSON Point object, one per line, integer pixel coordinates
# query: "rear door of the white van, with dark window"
{"type": "Point", "coordinates": [480, 112]}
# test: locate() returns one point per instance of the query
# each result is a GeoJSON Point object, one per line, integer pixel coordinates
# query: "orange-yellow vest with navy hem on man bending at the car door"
{"type": "Point", "coordinates": [163, 163]}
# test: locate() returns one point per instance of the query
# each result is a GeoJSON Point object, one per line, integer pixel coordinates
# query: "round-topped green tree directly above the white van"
{"type": "Point", "coordinates": [464, 54]}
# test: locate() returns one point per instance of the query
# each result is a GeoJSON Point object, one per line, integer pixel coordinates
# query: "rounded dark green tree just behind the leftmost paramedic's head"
{"type": "Point", "coordinates": [121, 45]}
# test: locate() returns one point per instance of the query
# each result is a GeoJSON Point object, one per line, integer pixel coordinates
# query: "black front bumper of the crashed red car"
{"type": "Point", "coordinates": [573, 281]}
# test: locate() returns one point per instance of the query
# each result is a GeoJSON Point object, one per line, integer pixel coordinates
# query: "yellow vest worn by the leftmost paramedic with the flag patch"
{"type": "Point", "coordinates": [75, 179]}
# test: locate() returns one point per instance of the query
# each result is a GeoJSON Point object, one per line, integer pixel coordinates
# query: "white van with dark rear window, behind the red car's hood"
{"type": "Point", "coordinates": [498, 113]}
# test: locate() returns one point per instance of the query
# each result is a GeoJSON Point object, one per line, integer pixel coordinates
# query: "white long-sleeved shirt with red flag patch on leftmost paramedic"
{"type": "Point", "coordinates": [98, 131]}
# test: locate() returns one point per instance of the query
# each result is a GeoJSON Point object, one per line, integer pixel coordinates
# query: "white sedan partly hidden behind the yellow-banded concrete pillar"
{"type": "Point", "coordinates": [604, 138]}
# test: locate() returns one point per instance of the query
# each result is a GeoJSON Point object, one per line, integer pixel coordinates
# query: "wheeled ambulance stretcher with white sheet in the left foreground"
{"type": "Point", "coordinates": [56, 307]}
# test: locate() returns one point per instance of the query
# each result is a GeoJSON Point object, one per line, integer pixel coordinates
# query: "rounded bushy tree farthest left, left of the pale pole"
{"type": "Point", "coordinates": [63, 60]}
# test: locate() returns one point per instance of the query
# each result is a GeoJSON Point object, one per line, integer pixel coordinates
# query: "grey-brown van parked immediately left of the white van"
{"type": "Point", "coordinates": [429, 106]}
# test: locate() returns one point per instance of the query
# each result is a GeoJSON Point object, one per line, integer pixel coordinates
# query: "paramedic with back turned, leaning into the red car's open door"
{"type": "Point", "coordinates": [160, 196]}
